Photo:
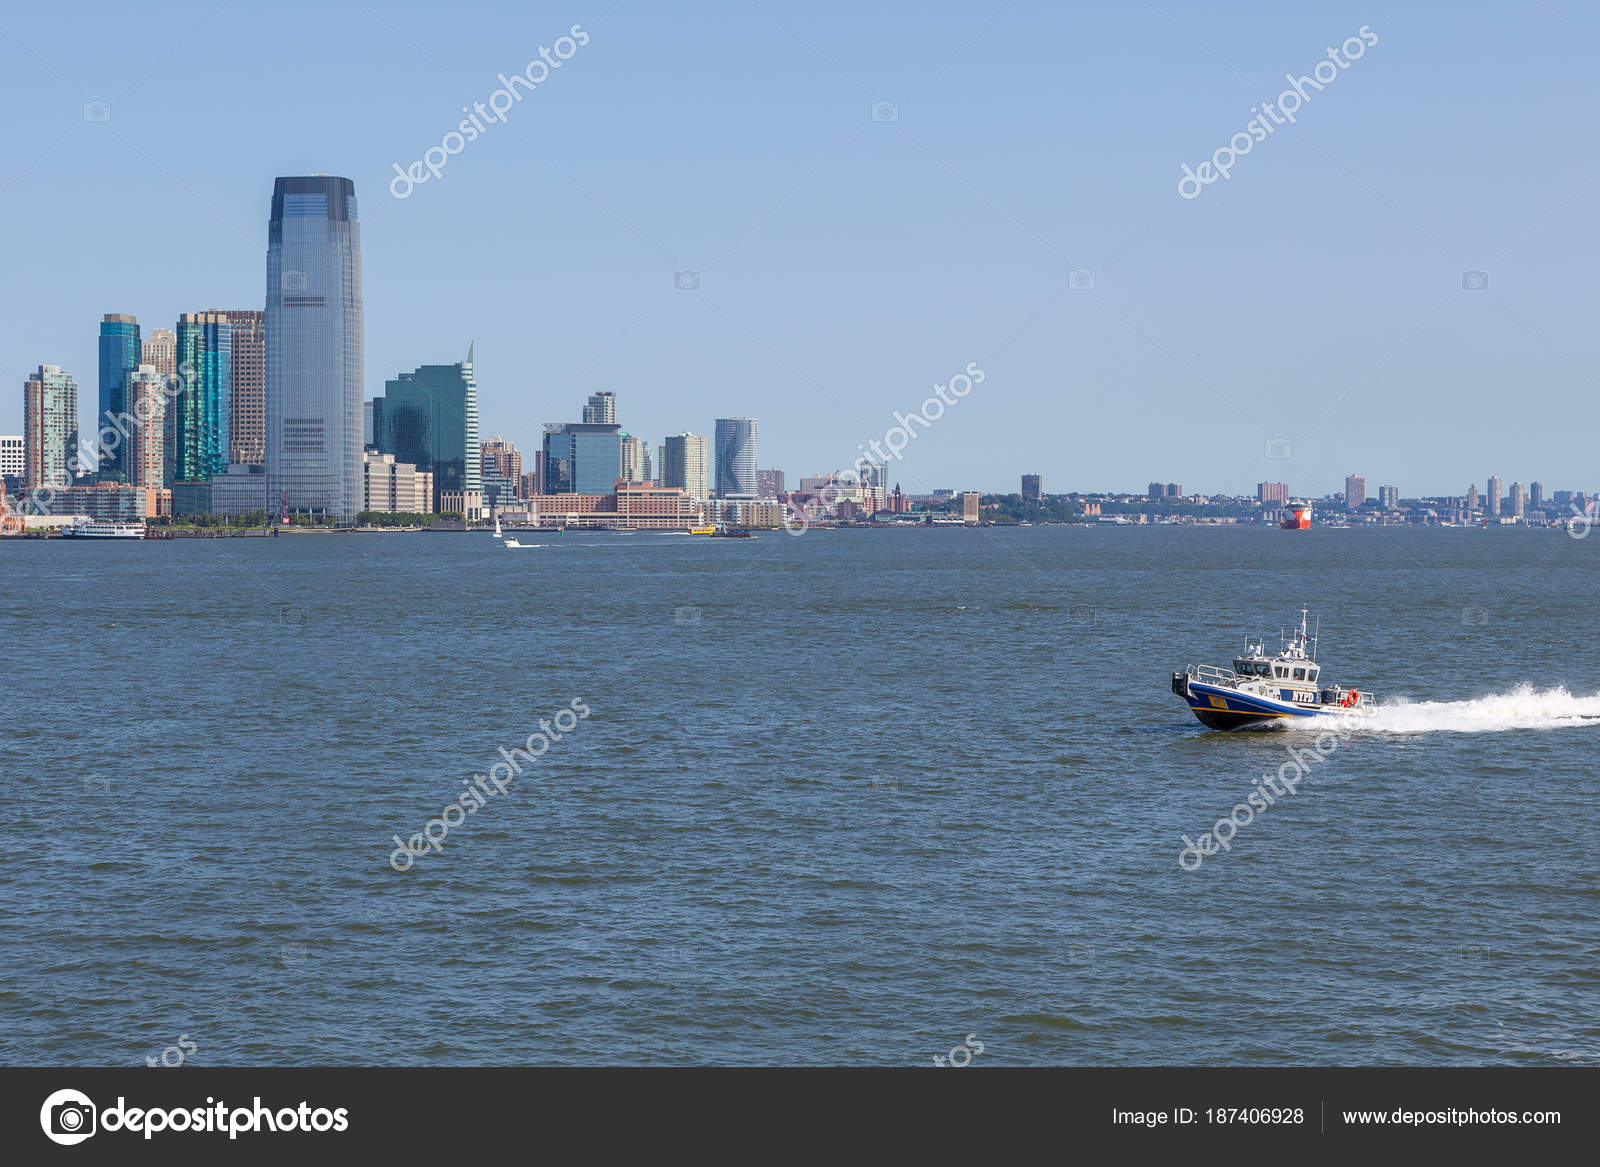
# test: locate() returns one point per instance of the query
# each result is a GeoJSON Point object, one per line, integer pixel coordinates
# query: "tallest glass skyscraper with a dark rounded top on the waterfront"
{"type": "Point", "coordinates": [314, 348]}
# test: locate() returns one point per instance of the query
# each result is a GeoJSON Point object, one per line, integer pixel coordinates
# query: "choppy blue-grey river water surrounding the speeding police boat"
{"type": "Point", "coordinates": [842, 798]}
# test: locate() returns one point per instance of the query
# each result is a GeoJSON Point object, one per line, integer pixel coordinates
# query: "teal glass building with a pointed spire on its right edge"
{"type": "Point", "coordinates": [431, 420]}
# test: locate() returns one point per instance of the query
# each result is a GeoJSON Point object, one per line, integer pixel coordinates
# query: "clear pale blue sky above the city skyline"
{"type": "Point", "coordinates": [852, 263]}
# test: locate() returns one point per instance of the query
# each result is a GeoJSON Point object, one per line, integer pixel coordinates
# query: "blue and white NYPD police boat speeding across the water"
{"type": "Point", "coordinates": [1263, 689]}
